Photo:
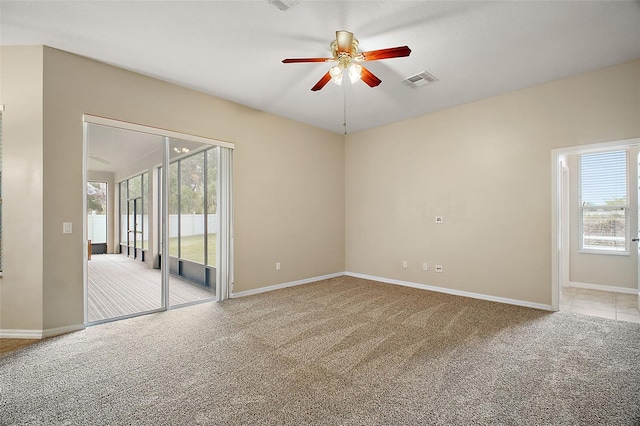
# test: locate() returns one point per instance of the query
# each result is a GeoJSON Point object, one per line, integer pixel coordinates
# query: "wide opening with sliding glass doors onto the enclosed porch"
{"type": "Point", "coordinates": [134, 274]}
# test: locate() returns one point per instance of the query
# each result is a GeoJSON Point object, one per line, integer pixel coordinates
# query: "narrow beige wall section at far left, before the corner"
{"type": "Point", "coordinates": [21, 292]}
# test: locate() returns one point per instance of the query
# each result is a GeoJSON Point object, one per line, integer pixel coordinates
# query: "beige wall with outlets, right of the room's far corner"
{"type": "Point", "coordinates": [486, 168]}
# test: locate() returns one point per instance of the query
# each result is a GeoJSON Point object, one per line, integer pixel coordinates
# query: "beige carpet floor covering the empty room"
{"type": "Point", "coordinates": [343, 351]}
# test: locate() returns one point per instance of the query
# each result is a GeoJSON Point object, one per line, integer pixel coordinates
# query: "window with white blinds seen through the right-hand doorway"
{"type": "Point", "coordinates": [604, 202]}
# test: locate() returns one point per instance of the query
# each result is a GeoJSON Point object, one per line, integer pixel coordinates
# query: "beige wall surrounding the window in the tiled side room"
{"type": "Point", "coordinates": [599, 269]}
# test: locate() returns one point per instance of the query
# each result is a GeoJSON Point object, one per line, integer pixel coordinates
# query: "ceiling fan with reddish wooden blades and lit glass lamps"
{"type": "Point", "coordinates": [345, 51]}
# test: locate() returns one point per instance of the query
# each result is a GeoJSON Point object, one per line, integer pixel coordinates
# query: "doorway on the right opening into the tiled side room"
{"type": "Point", "coordinates": [595, 229]}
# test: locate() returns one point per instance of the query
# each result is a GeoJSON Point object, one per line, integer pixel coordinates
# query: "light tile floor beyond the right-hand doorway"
{"type": "Point", "coordinates": [623, 307]}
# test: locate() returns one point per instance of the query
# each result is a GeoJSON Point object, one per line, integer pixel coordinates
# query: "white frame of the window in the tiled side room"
{"type": "Point", "coordinates": [626, 208]}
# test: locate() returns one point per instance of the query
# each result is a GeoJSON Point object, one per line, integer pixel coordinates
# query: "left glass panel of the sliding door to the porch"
{"type": "Point", "coordinates": [124, 280]}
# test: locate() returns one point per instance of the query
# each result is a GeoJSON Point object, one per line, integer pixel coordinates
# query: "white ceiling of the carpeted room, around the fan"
{"type": "Point", "coordinates": [233, 49]}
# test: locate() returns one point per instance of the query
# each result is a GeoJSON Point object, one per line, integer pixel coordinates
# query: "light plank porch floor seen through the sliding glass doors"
{"type": "Point", "coordinates": [120, 286]}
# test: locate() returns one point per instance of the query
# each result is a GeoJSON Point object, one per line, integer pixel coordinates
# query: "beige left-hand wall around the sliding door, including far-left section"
{"type": "Point", "coordinates": [288, 179]}
